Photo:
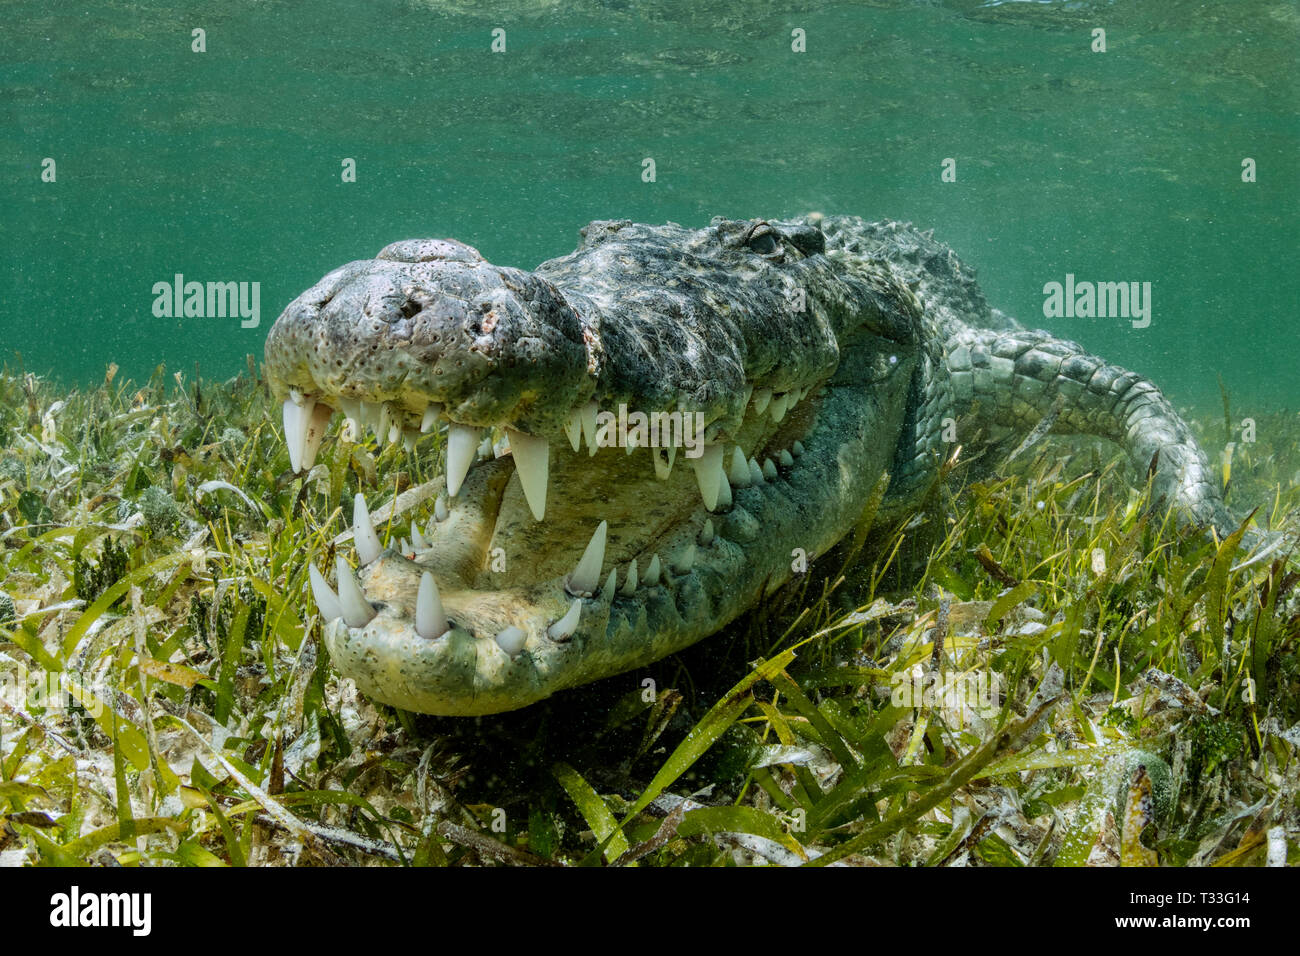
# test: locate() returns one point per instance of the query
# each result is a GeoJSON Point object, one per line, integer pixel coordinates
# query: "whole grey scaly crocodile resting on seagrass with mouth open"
{"type": "Point", "coordinates": [683, 417]}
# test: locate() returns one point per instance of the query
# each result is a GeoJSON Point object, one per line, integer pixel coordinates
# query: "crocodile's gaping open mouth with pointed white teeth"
{"type": "Point", "coordinates": [535, 544]}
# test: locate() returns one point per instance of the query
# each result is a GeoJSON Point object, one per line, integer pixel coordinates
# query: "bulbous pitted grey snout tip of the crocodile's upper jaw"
{"type": "Point", "coordinates": [431, 323]}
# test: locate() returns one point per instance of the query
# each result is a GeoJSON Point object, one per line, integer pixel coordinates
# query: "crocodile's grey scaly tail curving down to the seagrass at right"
{"type": "Point", "coordinates": [1013, 387]}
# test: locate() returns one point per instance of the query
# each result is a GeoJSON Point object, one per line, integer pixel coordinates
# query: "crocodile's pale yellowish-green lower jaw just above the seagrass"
{"type": "Point", "coordinates": [756, 546]}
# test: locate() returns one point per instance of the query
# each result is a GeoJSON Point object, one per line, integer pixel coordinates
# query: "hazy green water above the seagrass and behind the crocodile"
{"type": "Point", "coordinates": [226, 166]}
